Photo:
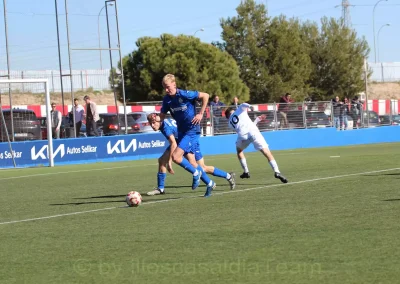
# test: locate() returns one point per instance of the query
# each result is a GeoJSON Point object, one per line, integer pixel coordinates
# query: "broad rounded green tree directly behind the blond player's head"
{"type": "Point", "coordinates": [196, 65]}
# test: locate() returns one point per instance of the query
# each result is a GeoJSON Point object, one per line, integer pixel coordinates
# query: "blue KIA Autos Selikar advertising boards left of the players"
{"type": "Point", "coordinates": [84, 150]}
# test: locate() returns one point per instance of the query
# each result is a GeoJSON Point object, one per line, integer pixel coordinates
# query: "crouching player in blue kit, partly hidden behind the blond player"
{"type": "Point", "coordinates": [169, 129]}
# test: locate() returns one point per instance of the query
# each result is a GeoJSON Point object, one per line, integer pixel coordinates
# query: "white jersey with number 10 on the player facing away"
{"type": "Point", "coordinates": [241, 122]}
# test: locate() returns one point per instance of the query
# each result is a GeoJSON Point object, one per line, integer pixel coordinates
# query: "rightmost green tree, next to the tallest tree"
{"type": "Point", "coordinates": [337, 57]}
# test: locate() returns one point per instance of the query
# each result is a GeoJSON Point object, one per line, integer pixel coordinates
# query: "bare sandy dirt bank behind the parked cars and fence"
{"type": "Point", "coordinates": [375, 91]}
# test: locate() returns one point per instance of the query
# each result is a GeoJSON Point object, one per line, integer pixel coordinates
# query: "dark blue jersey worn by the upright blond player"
{"type": "Point", "coordinates": [182, 107]}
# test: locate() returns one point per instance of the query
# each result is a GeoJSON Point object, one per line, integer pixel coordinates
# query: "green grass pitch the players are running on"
{"type": "Point", "coordinates": [343, 229]}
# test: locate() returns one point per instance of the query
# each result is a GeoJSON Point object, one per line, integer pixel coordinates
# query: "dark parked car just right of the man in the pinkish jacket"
{"type": "Point", "coordinates": [114, 124]}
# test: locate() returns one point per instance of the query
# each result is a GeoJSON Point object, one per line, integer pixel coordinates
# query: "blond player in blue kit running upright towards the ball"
{"type": "Point", "coordinates": [182, 106]}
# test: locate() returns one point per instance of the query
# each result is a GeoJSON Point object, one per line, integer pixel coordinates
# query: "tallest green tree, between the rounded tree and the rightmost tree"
{"type": "Point", "coordinates": [270, 53]}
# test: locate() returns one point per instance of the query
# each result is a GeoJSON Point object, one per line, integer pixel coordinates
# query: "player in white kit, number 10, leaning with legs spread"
{"type": "Point", "coordinates": [248, 133]}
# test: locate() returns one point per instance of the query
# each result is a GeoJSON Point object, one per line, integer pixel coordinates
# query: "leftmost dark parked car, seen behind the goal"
{"type": "Point", "coordinates": [26, 125]}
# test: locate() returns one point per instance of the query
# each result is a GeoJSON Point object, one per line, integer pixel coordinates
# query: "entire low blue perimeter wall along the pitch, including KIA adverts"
{"type": "Point", "coordinates": [147, 146]}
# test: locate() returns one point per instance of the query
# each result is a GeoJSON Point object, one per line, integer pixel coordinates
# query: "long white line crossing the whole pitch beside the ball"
{"type": "Point", "coordinates": [216, 193]}
